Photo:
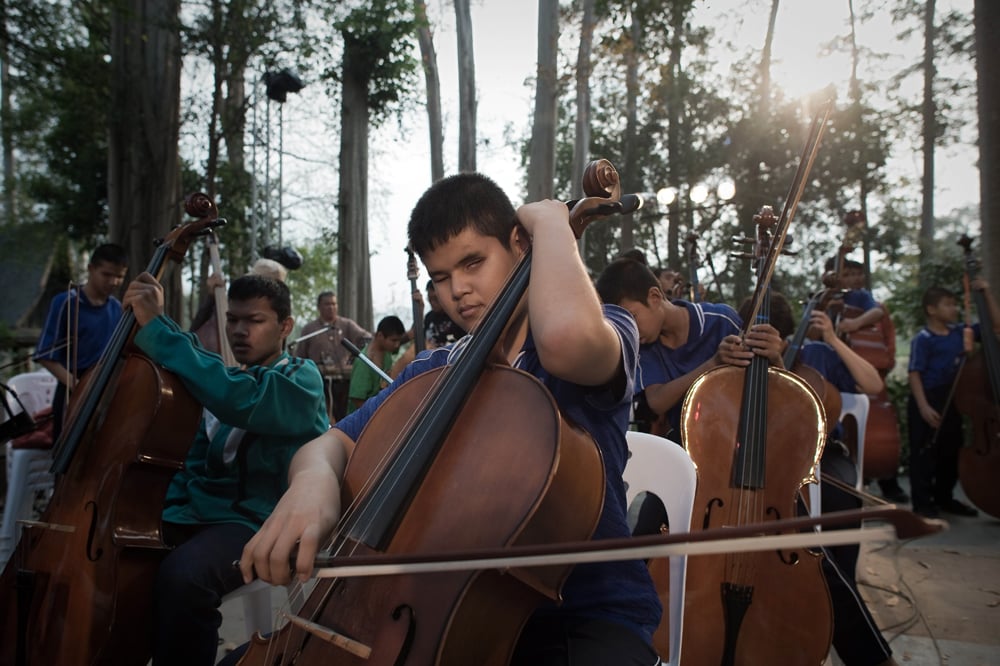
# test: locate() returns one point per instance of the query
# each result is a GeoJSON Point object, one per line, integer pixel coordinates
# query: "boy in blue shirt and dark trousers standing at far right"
{"type": "Point", "coordinates": [934, 424]}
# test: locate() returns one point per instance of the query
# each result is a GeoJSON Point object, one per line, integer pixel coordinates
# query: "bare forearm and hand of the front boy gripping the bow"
{"type": "Point", "coordinates": [304, 516]}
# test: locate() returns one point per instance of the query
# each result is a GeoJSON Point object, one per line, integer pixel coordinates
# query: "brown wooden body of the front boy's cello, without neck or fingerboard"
{"type": "Point", "coordinates": [508, 474]}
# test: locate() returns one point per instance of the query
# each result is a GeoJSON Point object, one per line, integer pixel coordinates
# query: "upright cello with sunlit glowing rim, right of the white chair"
{"type": "Point", "coordinates": [756, 436]}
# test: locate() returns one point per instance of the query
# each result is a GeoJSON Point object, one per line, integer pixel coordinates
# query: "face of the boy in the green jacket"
{"type": "Point", "coordinates": [254, 332]}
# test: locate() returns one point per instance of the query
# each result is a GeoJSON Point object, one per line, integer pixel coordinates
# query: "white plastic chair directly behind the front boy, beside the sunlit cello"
{"type": "Point", "coordinates": [659, 466]}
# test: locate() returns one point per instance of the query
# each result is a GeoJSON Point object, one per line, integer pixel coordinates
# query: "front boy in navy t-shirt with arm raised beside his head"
{"type": "Point", "coordinates": [465, 230]}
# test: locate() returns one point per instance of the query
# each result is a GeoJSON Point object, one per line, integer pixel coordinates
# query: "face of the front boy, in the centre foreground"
{"type": "Point", "coordinates": [468, 270]}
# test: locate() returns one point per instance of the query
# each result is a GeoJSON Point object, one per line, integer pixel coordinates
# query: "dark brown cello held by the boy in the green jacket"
{"type": "Point", "coordinates": [78, 587]}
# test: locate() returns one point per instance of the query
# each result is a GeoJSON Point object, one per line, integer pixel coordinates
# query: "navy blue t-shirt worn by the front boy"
{"type": "Point", "coordinates": [620, 592]}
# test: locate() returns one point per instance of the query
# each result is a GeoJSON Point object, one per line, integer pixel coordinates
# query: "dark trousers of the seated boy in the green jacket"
{"type": "Point", "coordinates": [190, 585]}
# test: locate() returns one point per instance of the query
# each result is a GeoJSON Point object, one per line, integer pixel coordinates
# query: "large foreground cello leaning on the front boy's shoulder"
{"type": "Point", "coordinates": [417, 480]}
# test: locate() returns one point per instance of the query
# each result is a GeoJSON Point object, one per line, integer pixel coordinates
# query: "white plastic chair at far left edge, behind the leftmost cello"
{"type": "Point", "coordinates": [27, 469]}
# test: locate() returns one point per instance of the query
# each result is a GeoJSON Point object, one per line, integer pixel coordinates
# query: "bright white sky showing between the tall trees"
{"type": "Point", "coordinates": [505, 53]}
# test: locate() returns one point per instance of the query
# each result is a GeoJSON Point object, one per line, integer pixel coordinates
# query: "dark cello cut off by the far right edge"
{"type": "Point", "coordinates": [977, 396]}
